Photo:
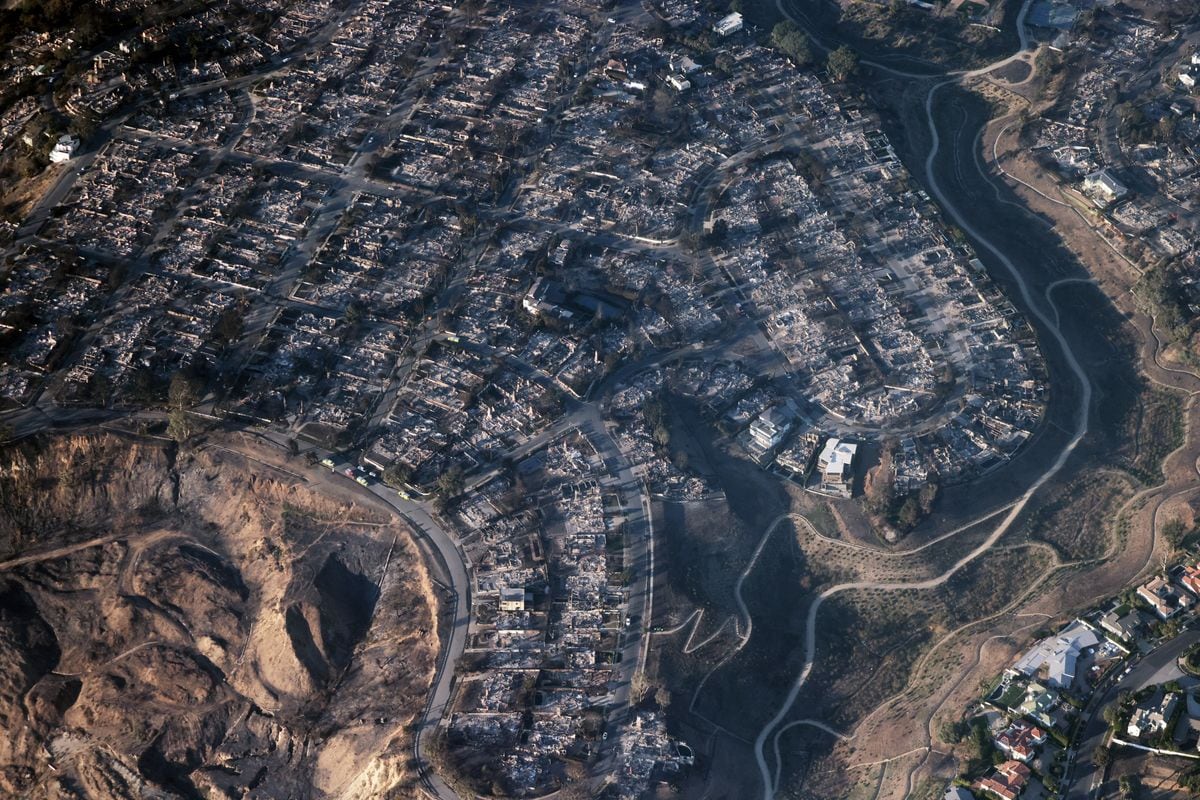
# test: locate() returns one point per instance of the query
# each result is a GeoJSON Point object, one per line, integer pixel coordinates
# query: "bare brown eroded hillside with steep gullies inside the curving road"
{"type": "Point", "coordinates": [202, 625]}
